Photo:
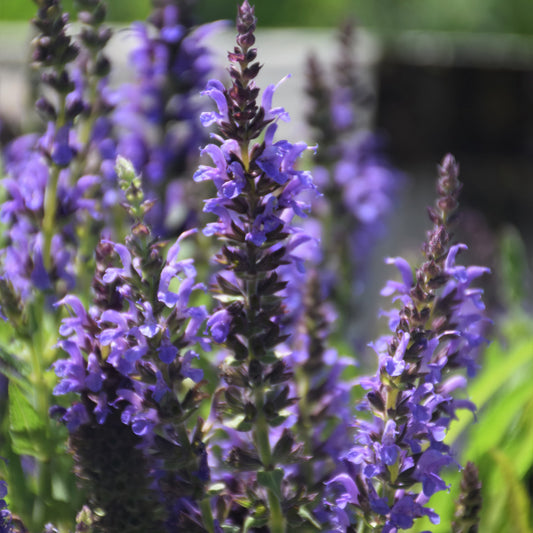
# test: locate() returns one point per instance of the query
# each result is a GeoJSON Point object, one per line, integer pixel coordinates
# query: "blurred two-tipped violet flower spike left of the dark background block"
{"type": "Point", "coordinates": [358, 183]}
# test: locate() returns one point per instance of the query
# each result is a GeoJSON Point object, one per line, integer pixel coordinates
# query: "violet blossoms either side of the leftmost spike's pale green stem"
{"type": "Point", "coordinates": [27, 175]}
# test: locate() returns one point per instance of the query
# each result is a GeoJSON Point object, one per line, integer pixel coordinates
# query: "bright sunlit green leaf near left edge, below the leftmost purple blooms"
{"type": "Point", "coordinates": [26, 428]}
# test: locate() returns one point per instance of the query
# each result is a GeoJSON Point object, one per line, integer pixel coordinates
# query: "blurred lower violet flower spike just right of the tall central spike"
{"type": "Point", "coordinates": [324, 414]}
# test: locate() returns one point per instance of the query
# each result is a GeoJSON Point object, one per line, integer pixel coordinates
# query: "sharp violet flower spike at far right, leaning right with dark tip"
{"type": "Point", "coordinates": [412, 397]}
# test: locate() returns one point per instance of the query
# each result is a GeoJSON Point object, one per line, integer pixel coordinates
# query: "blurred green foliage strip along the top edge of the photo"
{"type": "Point", "coordinates": [506, 16]}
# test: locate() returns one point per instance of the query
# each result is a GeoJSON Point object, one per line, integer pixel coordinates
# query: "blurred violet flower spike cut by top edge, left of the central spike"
{"type": "Point", "coordinates": [157, 114]}
